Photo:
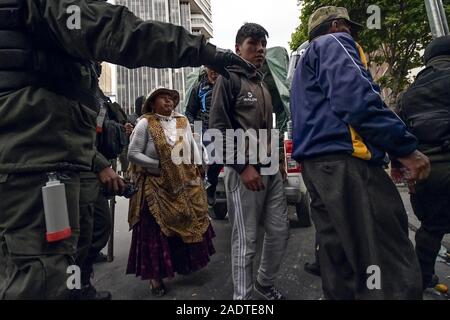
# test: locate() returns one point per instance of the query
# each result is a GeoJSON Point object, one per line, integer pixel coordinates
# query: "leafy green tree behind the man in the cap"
{"type": "Point", "coordinates": [398, 45]}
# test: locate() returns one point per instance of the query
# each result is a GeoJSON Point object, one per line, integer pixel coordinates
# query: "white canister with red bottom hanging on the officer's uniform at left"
{"type": "Point", "coordinates": [55, 209]}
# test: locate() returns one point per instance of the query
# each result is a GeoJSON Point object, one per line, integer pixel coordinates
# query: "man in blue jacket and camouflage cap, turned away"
{"type": "Point", "coordinates": [342, 132]}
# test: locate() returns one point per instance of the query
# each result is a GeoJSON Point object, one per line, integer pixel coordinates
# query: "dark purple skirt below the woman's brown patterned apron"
{"type": "Point", "coordinates": [153, 255]}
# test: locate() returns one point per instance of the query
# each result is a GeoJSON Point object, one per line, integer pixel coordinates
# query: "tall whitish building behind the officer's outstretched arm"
{"type": "Point", "coordinates": [194, 15]}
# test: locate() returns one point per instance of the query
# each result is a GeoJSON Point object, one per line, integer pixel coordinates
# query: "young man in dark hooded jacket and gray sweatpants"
{"type": "Point", "coordinates": [254, 192]}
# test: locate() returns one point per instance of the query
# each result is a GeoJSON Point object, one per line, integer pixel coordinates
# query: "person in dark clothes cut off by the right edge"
{"type": "Point", "coordinates": [425, 108]}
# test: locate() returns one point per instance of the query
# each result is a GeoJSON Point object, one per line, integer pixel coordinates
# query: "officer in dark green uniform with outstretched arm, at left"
{"type": "Point", "coordinates": [48, 118]}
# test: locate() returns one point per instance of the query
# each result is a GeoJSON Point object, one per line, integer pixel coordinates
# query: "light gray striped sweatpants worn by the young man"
{"type": "Point", "coordinates": [246, 209]}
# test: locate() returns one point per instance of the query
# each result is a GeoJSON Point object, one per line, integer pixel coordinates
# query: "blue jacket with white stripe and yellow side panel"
{"type": "Point", "coordinates": [336, 107]}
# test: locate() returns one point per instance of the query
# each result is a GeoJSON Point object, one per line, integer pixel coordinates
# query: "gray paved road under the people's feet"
{"type": "Point", "coordinates": [214, 282]}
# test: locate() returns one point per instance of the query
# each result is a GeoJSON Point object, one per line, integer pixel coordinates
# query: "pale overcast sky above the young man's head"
{"type": "Point", "coordinates": [279, 17]}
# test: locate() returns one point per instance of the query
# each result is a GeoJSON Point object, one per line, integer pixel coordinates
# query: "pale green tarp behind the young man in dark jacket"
{"type": "Point", "coordinates": [275, 69]}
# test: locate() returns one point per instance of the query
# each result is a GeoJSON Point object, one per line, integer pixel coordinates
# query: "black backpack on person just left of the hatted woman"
{"type": "Point", "coordinates": [112, 137]}
